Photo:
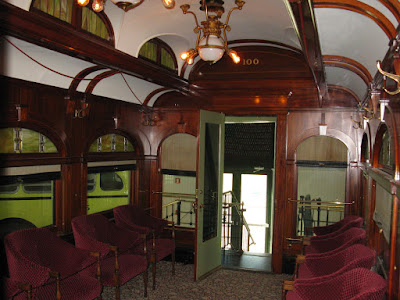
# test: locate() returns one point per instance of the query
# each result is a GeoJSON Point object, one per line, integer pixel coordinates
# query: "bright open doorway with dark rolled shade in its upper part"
{"type": "Point", "coordinates": [248, 192]}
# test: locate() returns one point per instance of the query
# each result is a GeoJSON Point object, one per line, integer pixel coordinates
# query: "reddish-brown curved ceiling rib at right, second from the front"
{"type": "Point", "coordinates": [349, 64]}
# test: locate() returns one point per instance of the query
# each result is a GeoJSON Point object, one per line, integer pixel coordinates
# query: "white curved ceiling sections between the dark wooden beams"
{"type": "Point", "coordinates": [342, 33]}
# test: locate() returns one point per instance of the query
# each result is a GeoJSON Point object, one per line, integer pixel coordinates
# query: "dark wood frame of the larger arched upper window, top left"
{"type": "Point", "coordinates": [76, 21]}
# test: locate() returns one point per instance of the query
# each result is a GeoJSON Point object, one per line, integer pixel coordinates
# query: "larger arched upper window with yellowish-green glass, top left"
{"type": "Point", "coordinates": [82, 18]}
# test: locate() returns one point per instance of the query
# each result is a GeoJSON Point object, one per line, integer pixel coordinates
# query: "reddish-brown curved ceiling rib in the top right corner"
{"type": "Point", "coordinates": [361, 8]}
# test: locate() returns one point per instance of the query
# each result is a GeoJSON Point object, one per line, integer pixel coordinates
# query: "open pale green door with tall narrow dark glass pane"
{"type": "Point", "coordinates": [209, 193]}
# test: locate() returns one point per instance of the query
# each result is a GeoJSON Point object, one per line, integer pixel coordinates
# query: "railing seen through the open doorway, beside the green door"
{"type": "Point", "coordinates": [236, 233]}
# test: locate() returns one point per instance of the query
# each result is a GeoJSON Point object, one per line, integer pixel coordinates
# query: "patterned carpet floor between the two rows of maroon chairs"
{"type": "Point", "coordinates": [223, 284]}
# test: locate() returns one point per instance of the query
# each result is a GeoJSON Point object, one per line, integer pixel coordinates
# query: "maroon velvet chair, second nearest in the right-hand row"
{"type": "Point", "coordinates": [355, 256]}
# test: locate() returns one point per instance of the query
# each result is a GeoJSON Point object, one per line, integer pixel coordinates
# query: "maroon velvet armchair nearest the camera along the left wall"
{"type": "Point", "coordinates": [52, 266]}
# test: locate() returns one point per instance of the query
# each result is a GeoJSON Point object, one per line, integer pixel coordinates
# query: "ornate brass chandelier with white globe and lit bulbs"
{"type": "Point", "coordinates": [210, 45]}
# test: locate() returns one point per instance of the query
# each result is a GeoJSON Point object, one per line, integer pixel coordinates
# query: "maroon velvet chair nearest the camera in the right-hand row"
{"type": "Point", "coordinates": [355, 284]}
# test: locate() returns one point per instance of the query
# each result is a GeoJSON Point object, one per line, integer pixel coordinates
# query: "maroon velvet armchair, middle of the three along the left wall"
{"type": "Point", "coordinates": [116, 246]}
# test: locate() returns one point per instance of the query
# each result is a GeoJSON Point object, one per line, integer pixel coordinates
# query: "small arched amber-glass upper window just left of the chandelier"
{"type": "Point", "coordinates": [159, 53]}
